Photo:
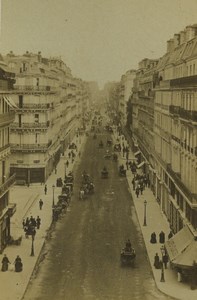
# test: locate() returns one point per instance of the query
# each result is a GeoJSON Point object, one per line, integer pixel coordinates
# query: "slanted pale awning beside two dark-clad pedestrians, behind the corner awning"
{"type": "Point", "coordinates": [178, 243]}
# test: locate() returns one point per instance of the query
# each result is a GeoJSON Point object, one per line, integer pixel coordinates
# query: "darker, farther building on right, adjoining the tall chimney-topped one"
{"type": "Point", "coordinates": [142, 102]}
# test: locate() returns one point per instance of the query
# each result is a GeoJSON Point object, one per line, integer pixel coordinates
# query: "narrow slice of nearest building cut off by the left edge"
{"type": "Point", "coordinates": [7, 208]}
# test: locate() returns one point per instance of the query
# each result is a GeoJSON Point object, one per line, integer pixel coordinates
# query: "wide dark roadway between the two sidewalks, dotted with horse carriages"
{"type": "Point", "coordinates": [82, 258]}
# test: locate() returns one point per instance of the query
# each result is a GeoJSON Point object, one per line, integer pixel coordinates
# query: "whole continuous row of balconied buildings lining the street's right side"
{"type": "Point", "coordinates": [164, 127]}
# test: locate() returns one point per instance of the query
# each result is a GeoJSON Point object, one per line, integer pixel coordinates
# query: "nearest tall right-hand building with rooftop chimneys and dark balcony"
{"type": "Point", "coordinates": [175, 130]}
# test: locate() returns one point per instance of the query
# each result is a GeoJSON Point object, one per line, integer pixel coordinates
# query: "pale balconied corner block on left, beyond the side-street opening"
{"type": "Point", "coordinates": [50, 103]}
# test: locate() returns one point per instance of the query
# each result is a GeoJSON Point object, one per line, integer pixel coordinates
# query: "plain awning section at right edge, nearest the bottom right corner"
{"type": "Point", "coordinates": [187, 257]}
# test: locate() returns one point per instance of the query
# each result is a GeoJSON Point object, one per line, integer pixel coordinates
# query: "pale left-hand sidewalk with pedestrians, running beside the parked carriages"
{"type": "Point", "coordinates": [12, 284]}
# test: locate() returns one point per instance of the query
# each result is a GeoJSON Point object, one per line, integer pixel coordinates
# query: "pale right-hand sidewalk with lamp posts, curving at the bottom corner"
{"type": "Point", "coordinates": [156, 221]}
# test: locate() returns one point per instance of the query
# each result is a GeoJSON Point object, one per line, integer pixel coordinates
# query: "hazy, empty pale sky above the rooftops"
{"type": "Point", "coordinates": [98, 39]}
